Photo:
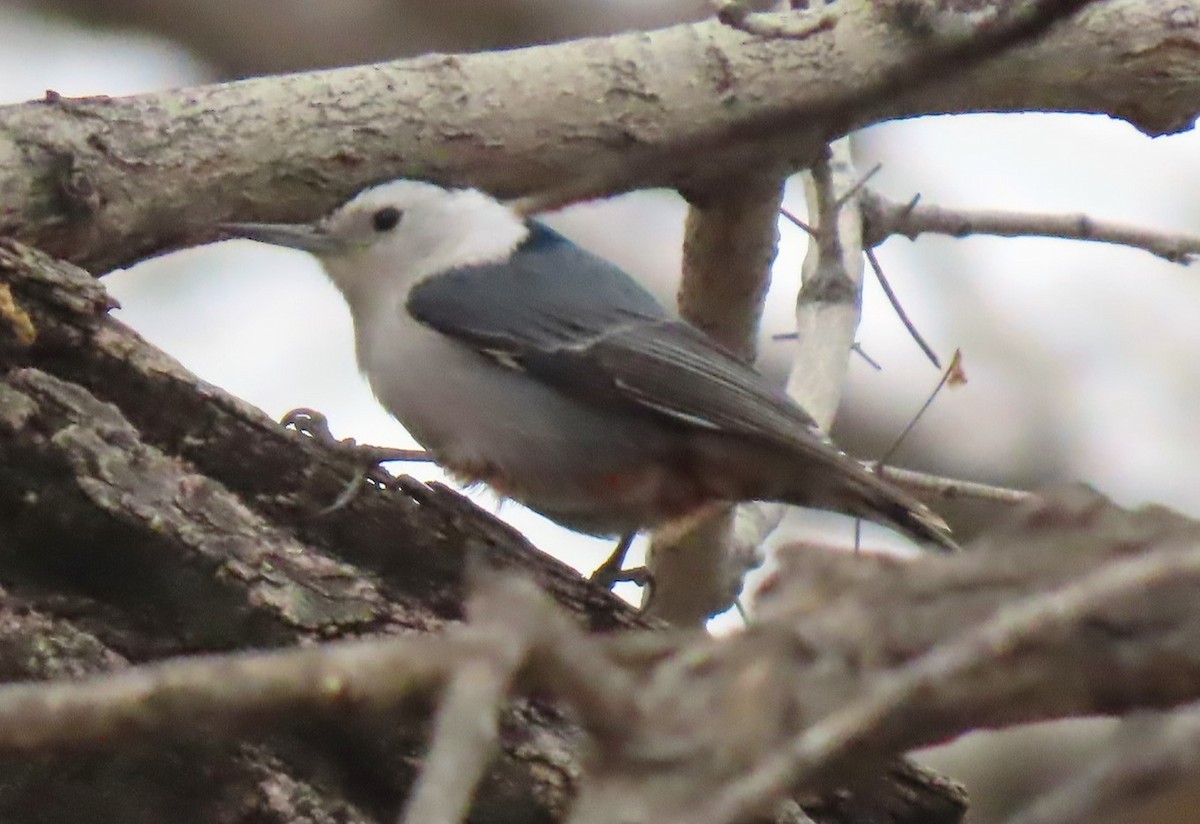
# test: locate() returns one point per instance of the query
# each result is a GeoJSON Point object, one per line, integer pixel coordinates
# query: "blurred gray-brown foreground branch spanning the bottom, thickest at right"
{"type": "Point", "coordinates": [856, 660]}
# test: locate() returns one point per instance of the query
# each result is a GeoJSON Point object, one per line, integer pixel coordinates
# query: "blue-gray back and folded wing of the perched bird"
{"type": "Point", "coordinates": [579, 323]}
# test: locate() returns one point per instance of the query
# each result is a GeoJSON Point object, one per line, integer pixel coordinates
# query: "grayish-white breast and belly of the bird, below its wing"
{"type": "Point", "coordinates": [485, 422]}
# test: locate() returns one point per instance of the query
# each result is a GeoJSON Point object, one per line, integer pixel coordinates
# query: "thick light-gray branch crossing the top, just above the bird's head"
{"type": "Point", "coordinates": [105, 182]}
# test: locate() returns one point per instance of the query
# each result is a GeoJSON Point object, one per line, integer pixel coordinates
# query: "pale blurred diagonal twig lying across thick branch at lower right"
{"type": "Point", "coordinates": [883, 717]}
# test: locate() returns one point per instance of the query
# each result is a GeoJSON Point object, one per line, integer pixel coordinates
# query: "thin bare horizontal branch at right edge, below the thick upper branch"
{"type": "Point", "coordinates": [887, 218]}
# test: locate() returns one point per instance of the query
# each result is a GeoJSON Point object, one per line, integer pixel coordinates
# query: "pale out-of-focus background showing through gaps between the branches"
{"type": "Point", "coordinates": [1081, 358]}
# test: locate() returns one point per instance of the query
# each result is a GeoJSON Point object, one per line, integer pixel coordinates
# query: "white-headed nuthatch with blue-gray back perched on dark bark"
{"type": "Point", "coordinates": [523, 362]}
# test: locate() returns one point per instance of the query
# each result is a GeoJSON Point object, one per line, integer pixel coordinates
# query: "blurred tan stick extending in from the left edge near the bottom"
{"type": "Point", "coordinates": [225, 693]}
